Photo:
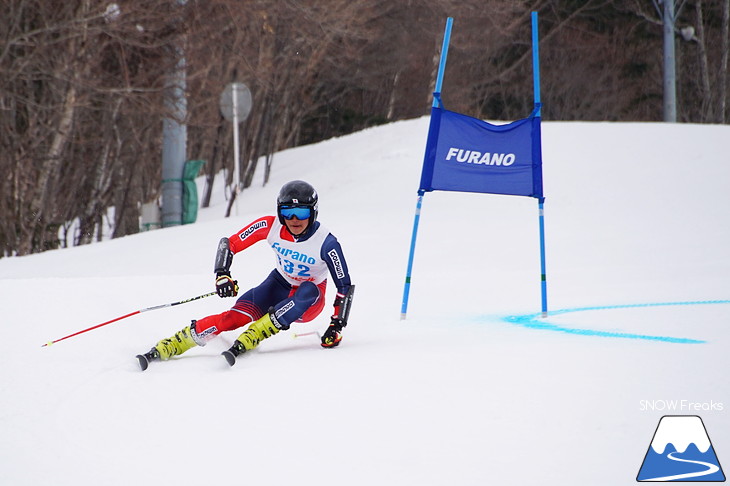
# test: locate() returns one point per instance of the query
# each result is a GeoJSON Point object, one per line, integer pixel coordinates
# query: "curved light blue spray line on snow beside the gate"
{"type": "Point", "coordinates": [535, 321]}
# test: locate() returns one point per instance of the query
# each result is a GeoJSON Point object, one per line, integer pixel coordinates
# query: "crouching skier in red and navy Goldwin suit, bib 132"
{"type": "Point", "coordinates": [293, 292]}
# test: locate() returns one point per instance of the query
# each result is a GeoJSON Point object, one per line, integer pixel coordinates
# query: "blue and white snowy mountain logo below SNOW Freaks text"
{"type": "Point", "coordinates": [680, 451]}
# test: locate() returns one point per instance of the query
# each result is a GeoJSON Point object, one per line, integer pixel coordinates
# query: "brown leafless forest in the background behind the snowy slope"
{"type": "Point", "coordinates": [83, 85]}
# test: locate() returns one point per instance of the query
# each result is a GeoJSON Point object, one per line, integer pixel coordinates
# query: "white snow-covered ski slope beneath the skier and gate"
{"type": "Point", "coordinates": [473, 388]}
